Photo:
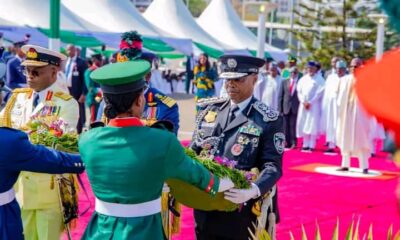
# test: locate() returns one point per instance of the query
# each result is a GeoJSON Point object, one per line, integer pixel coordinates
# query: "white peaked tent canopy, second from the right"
{"type": "Point", "coordinates": [173, 17]}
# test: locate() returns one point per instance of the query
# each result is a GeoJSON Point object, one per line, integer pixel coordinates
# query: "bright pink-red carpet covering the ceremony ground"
{"type": "Point", "coordinates": [306, 196]}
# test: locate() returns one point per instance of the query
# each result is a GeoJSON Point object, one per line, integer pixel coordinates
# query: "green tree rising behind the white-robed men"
{"type": "Point", "coordinates": [322, 46]}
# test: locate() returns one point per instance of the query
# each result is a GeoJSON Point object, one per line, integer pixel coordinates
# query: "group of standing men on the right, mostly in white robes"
{"type": "Point", "coordinates": [317, 103]}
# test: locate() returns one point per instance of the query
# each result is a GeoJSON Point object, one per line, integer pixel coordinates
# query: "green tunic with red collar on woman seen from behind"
{"type": "Point", "coordinates": [128, 165]}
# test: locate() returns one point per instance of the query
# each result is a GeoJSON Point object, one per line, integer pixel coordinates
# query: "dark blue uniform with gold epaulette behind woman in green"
{"type": "Point", "coordinates": [160, 107]}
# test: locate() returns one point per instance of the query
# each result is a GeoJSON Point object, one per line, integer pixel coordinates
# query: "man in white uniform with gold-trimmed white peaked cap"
{"type": "Point", "coordinates": [36, 193]}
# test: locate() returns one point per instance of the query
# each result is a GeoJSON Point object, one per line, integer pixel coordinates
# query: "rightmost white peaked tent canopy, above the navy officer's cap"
{"type": "Point", "coordinates": [230, 29]}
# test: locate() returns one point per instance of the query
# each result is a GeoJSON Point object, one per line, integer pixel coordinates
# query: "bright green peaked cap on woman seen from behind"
{"type": "Point", "coordinates": [121, 77]}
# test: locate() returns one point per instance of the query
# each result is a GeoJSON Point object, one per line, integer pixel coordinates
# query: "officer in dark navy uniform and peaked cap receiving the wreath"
{"type": "Point", "coordinates": [243, 129]}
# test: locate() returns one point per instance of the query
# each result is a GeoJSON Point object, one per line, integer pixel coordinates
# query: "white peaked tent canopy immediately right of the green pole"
{"type": "Point", "coordinates": [121, 16]}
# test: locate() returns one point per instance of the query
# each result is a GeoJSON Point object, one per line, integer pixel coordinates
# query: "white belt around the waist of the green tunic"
{"type": "Point", "coordinates": [128, 210]}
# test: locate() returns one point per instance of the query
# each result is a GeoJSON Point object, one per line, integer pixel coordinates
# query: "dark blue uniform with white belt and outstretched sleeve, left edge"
{"type": "Point", "coordinates": [18, 154]}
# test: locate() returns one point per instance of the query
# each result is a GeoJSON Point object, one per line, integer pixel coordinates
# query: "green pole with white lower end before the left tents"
{"type": "Point", "coordinates": [54, 38]}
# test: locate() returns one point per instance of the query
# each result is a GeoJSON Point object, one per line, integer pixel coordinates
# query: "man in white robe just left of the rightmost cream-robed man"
{"type": "Point", "coordinates": [329, 104]}
